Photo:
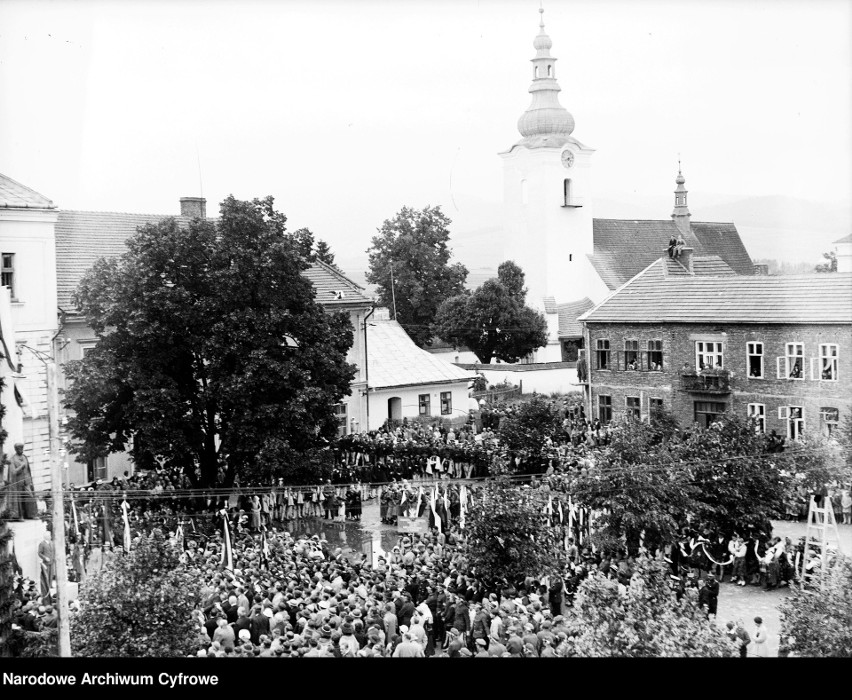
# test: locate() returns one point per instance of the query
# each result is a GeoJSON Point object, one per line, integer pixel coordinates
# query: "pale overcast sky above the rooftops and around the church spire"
{"type": "Point", "coordinates": [346, 111]}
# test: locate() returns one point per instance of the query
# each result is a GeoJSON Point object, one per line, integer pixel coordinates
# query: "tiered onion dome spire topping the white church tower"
{"type": "Point", "coordinates": [546, 122]}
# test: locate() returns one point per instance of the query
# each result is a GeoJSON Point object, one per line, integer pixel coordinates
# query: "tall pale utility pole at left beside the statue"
{"type": "Point", "coordinates": [63, 627]}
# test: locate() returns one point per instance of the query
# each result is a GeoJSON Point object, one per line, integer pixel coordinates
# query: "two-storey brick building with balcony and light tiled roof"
{"type": "Point", "coordinates": [700, 340]}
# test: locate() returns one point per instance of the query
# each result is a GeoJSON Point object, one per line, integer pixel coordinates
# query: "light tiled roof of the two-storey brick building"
{"type": "Point", "coordinates": [653, 297]}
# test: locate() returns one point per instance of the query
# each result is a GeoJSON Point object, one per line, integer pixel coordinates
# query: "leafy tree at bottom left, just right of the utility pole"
{"type": "Point", "coordinates": [140, 604]}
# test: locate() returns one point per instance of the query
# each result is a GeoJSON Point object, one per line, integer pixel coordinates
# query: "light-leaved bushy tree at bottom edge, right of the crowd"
{"type": "Point", "coordinates": [642, 619]}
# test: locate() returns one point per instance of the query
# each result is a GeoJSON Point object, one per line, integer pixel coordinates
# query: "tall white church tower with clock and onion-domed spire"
{"type": "Point", "coordinates": [547, 191]}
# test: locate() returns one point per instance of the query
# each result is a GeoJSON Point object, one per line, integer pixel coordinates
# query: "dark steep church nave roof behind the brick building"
{"type": "Point", "coordinates": [624, 247]}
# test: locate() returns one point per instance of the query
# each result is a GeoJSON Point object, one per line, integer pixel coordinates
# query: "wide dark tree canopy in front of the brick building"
{"type": "Point", "coordinates": [723, 477]}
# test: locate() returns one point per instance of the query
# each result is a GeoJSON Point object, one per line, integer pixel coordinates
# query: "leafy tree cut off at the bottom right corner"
{"type": "Point", "coordinates": [817, 619]}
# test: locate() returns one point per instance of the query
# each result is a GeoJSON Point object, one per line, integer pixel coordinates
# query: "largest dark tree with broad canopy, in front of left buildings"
{"type": "Point", "coordinates": [194, 363]}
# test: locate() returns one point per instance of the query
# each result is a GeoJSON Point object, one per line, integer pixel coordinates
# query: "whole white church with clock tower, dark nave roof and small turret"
{"type": "Point", "coordinates": [572, 261]}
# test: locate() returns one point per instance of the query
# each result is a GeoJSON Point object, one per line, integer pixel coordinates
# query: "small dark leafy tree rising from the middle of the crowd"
{"type": "Point", "coordinates": [507, 535]}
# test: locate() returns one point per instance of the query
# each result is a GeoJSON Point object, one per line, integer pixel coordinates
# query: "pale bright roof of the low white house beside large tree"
{"type": "Point", "coordinates": [395, 361]}
